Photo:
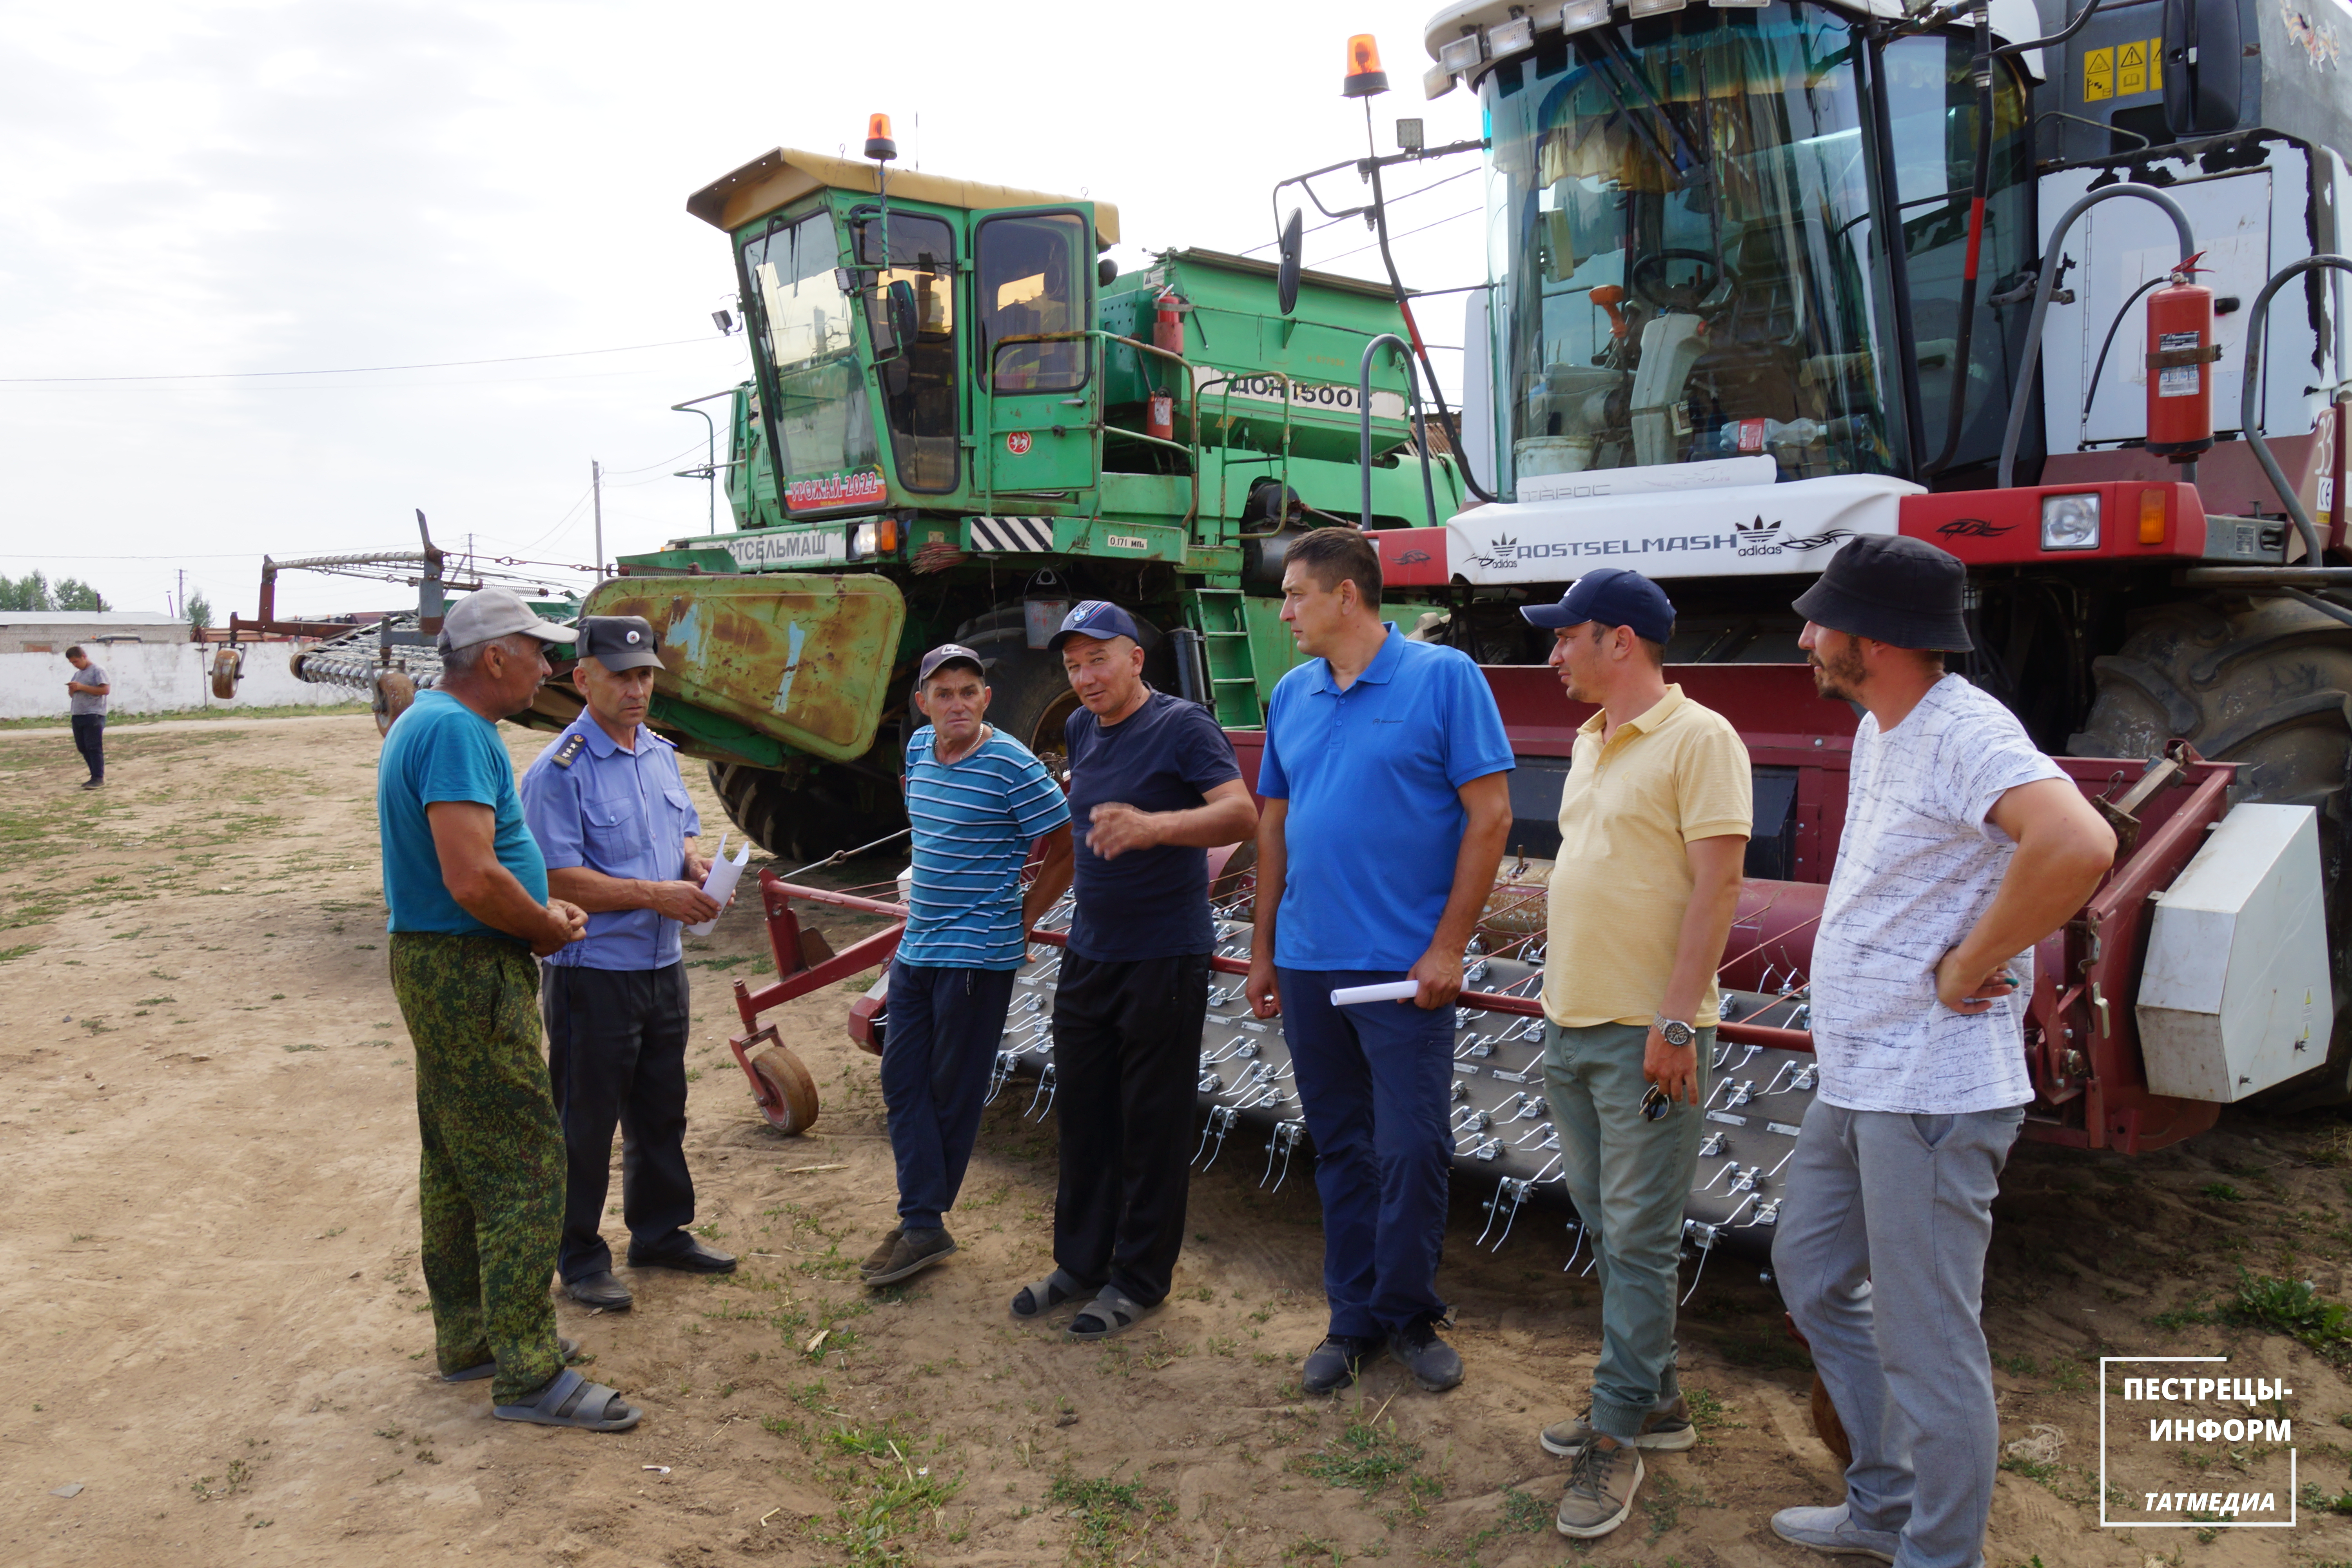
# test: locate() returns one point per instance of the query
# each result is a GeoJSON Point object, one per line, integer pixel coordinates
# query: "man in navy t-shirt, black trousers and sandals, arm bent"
{"type": "Point", "coordinates": [1154, 786]}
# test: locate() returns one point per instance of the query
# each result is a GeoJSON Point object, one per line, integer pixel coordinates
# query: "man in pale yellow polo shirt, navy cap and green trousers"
{"type": "Point", "coordinates": [1652, 843]}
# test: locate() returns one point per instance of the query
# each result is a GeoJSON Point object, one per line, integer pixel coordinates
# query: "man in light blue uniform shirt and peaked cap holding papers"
{"type": "Point", "coordinates": [620, 836]}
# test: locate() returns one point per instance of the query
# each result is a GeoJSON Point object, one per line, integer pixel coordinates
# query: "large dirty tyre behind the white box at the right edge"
{"type": "Point", "coordinates": [2269, 685]}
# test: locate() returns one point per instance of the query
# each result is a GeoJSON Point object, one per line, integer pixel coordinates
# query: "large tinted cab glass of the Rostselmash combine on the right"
{"type": "Point", "coordinates": [1683, 246]}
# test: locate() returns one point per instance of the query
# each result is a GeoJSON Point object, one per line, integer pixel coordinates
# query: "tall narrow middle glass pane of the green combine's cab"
{"type": "Point", "coordinates": [918, 380]}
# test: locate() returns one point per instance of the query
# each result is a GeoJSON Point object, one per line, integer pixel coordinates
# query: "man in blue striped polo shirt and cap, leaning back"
{"type": "Point", "coordinates": [977, 803]}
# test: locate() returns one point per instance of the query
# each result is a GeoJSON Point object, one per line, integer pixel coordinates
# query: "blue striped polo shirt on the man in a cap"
{"type": "Point", "coordinates": [975, 822]}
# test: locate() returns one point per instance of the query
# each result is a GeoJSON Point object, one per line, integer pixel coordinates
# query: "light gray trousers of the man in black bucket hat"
{"type": "Point", "coordinates": [1880, 1259]}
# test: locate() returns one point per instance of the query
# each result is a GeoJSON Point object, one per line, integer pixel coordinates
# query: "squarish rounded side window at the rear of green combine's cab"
{"type": "Point", "coordinates": [1034, 302]}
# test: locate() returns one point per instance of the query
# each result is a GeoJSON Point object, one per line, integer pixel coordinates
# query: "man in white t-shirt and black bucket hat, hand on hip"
{"type": "Point", "coordinates": [1963, 850]}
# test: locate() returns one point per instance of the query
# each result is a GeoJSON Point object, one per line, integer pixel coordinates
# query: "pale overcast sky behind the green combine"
{"type": "Point", "coordinates": [305, 187]}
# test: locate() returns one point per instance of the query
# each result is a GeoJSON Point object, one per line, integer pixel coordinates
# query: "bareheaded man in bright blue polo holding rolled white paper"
{"type": "Point", "coordinates": [1387, 810]}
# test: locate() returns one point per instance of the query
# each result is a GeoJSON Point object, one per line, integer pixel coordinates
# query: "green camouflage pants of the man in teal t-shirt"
{"type": "Point", "coordinates": [490, 1177]}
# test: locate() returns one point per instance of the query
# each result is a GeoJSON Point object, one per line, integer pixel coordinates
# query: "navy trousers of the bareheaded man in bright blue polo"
{"type": "Point", "coordinates": [1375, 1085]}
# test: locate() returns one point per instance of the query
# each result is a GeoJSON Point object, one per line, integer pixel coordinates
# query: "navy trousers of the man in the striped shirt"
{"type": "Point", "coordinates": [937, 1050]}
